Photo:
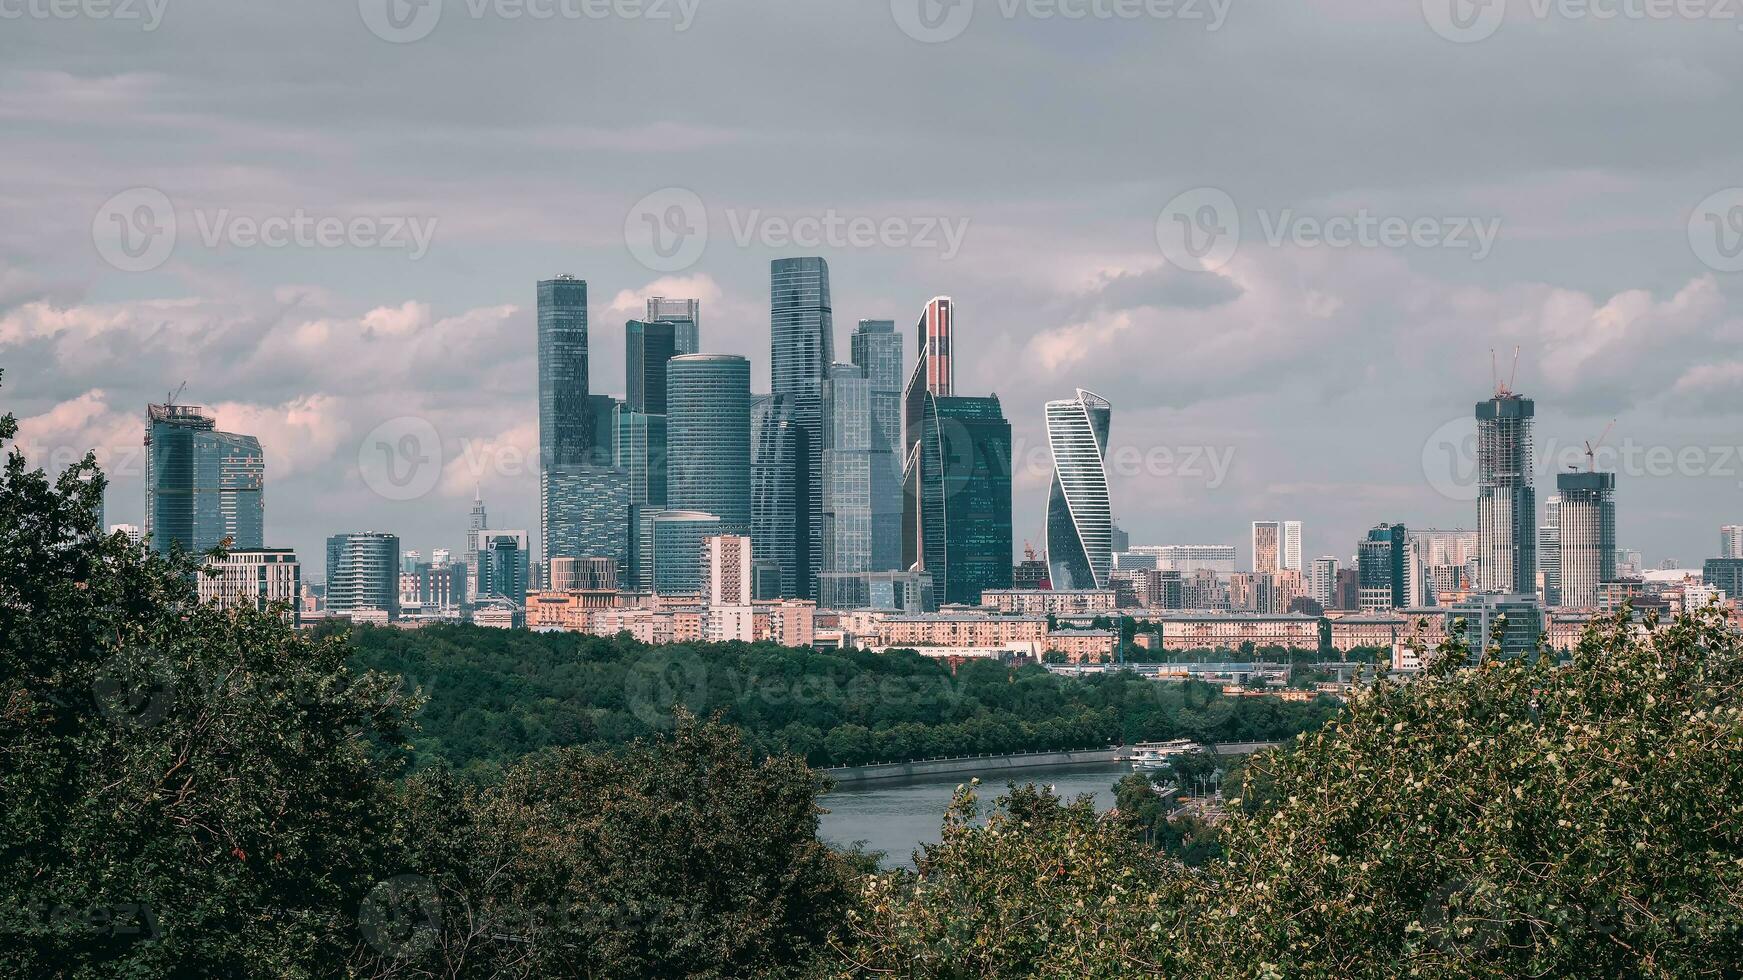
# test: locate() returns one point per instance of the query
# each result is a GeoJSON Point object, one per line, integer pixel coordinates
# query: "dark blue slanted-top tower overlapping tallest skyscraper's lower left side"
{"type": "Point", "coordinates": [780, 491]}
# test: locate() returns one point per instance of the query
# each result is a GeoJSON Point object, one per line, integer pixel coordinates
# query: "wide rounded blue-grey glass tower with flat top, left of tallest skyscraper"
{"type": "Point", "coordinates": [709, 439]}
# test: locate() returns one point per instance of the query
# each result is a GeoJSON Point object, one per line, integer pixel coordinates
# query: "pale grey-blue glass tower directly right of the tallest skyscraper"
{"type": "Point", "coordinates": [850, 444]}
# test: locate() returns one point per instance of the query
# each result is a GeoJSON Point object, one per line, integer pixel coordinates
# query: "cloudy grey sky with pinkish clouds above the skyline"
{"type": "Point", "coordinates": [1282, 240]}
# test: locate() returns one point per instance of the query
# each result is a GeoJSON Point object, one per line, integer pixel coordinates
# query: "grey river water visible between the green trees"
{"type": "Point", "coordinates": [897, 817]}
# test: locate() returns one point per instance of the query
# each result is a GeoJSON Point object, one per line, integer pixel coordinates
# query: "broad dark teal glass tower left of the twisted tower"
{"type": "Point", "coordinates": [958, 498]}
